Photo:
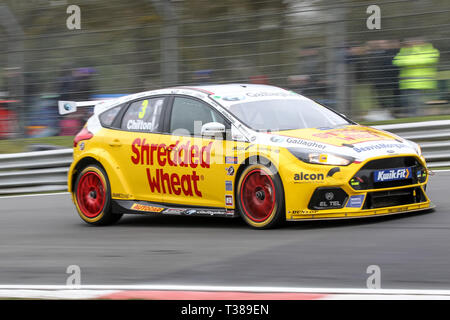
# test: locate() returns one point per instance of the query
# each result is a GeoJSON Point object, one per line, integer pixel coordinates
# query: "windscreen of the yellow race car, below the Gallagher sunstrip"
{"type": "Point", "coordinates": [285, 114]}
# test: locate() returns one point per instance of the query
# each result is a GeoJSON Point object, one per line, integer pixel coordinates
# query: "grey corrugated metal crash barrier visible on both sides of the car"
{"type": "Point", "coordinates": [45, 171]}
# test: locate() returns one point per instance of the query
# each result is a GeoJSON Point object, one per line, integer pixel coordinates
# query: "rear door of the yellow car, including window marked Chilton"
{"type": "Point", "coordinates": [135, 146]}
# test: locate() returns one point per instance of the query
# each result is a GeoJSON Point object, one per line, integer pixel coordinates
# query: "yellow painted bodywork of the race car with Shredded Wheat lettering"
{"type": "Point", "coordinates": [143, 166]}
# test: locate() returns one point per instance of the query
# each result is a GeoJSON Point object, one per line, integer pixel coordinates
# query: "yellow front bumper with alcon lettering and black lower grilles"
{"type": "Point", "coordinates": [306, 186]}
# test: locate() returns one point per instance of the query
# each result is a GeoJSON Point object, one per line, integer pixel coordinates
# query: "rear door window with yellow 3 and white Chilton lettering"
{"type": "Point", "coordinates": [143, 115]}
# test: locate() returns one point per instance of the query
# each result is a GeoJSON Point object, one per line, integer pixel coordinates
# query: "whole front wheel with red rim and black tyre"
{"type": "Point", "coordinates": [260, 197]}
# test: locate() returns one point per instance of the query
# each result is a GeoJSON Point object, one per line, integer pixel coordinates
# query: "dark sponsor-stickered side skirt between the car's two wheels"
{"type": "Point", "coordinates": [151, 208]}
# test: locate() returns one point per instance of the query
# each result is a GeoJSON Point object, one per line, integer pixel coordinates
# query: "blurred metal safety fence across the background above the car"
{"type": "Point", "coordinates": [332, 51]}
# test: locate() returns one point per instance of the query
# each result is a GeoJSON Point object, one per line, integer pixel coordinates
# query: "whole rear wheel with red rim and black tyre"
{"type": "Point", "coordinates": [93, 197]}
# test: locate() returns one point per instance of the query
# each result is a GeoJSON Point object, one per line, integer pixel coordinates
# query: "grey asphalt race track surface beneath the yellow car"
{"type": "Point", "coordinates": [41, 236]}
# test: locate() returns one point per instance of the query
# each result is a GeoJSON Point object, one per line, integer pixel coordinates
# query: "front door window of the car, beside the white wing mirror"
{"type": "Point", "coordinates": [188, 116]}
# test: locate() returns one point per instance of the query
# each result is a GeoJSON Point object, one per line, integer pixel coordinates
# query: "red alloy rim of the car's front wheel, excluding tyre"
{"type": "Point", "coordinates": [258, 195]}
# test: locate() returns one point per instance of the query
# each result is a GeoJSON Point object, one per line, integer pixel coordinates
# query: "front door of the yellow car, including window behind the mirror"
{"type": "Point", "coordinates": [194, 171]}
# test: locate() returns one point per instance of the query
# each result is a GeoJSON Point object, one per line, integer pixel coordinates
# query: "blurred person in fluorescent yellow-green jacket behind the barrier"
{"type": "Point", "coordinates": [417, 62]}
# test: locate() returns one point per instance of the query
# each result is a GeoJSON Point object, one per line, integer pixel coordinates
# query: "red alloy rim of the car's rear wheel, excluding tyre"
{"type": "Point", "coordinates": [91, 194]}
